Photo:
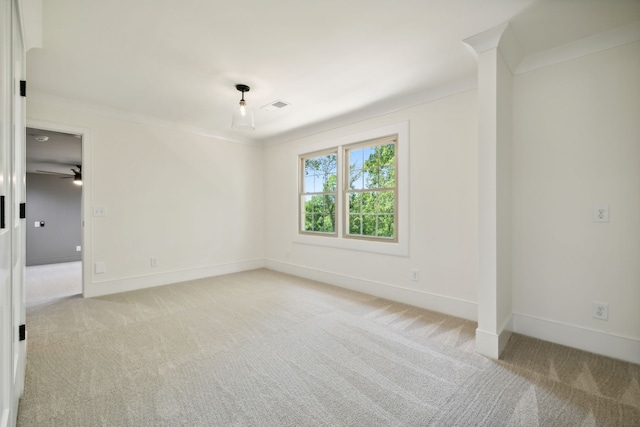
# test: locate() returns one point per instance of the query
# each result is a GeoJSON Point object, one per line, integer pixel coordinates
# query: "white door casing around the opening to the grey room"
{"type": "Point", "coordinates": [86, 188]}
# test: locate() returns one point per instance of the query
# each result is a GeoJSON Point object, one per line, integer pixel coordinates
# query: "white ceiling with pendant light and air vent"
{"type": "Point", "coordinates": [332, 60]}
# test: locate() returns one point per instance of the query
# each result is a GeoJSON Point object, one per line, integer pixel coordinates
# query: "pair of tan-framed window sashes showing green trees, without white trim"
{"type": "Point", "coordinates": [368, 189]}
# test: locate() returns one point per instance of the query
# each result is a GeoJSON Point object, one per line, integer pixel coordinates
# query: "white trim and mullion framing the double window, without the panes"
{"type": "Point", "coordinates": [399, 248]}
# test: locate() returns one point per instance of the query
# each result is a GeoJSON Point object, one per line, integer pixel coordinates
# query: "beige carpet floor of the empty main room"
{"type": "Point", "coordinates": [261, 348]}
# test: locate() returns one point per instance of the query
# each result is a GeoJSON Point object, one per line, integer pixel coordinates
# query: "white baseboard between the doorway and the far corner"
{"type": "Point", "coordinates": [166, 278]}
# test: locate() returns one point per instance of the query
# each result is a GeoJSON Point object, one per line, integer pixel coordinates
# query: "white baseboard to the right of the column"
{"type": "Point", "coordinates": [615, 346]}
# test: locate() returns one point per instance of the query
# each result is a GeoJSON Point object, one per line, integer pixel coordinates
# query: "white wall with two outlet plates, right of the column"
{"type": "Point", "coordinates": [577, 145]}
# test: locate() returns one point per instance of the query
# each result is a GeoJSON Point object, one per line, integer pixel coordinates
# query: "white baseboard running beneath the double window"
{"type": "Point", "coordinates": [447, 305]}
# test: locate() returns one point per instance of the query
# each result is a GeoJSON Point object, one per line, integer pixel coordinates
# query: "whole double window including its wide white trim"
{"type": "Point", "coordinates": [353, 192]}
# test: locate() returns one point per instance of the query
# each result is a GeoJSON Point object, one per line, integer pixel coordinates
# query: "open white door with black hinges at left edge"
{"type": "Point", "coordinates": [12, 194]}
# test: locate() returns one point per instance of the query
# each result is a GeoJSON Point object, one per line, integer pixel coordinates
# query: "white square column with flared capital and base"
{"type": "Point", "coordinates": [494, 187]}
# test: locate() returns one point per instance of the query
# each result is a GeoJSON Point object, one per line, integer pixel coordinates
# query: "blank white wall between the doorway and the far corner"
{"type": "Point", "coordinates": [190, 201]}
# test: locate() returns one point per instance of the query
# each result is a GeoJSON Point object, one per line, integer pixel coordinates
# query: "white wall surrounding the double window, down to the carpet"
{"type": "Point", "coordinates": [443, 213]}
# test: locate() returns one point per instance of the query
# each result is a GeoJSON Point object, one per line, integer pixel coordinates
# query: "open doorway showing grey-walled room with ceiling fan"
{"type": "Point", "coordinates": [54, 223]}
